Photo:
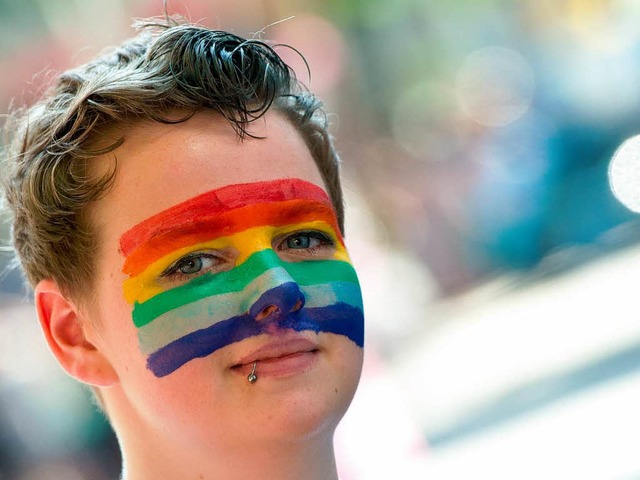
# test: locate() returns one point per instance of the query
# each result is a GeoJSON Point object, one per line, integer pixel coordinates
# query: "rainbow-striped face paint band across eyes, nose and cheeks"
{"type": "Point", "coordinates": [287, 253]}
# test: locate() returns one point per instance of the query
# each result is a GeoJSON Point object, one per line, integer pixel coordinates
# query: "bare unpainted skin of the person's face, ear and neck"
{"type": "Point", "coordinates": [204, 420]}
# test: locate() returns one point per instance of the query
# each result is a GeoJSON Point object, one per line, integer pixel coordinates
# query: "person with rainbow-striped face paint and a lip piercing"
{"type": "Point", "coordinates": [176, 205]}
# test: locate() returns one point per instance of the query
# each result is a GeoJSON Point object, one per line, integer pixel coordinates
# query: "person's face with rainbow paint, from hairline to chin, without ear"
{"type": "Point", "coordinates": [213, 254]}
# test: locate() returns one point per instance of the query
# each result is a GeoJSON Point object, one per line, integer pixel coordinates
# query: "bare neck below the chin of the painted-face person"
{"type": "Point", "coordinates": [148, 453]}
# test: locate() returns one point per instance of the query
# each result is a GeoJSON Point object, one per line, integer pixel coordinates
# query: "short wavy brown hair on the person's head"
{"type": "Point", "coordinates": [168, 66]}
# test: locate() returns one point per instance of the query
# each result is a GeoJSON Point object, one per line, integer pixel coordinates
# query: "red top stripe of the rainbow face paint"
{"type": "Point", "coordinates": [209, 206]}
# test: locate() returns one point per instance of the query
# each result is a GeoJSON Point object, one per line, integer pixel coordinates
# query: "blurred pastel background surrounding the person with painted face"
{"type": "Point", "coordinates": [490, 199]}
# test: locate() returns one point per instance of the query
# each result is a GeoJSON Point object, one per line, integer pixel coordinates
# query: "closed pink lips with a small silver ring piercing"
{"type": "Point", "coordinates": [279, 358]}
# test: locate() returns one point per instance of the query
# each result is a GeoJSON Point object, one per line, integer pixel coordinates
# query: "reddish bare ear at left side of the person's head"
{"type": "Point", "coordinates": [65, 333]}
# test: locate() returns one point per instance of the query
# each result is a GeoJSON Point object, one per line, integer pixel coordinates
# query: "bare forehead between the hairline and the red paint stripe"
{"type": "Point", "coordinates": [159, 166]}
